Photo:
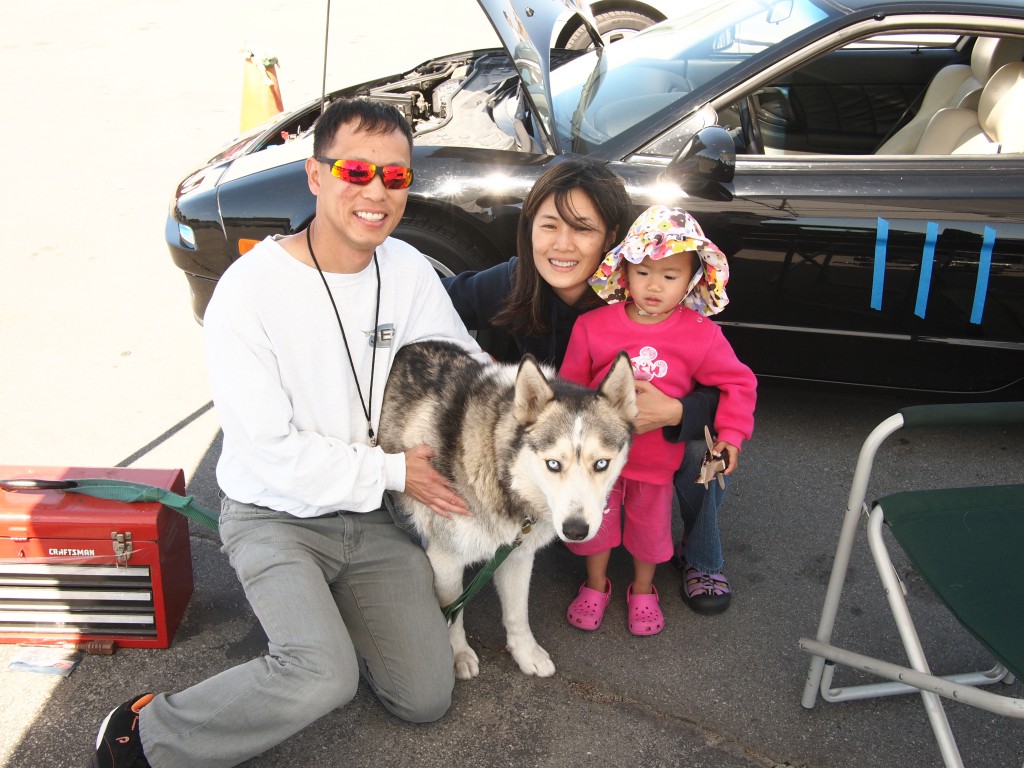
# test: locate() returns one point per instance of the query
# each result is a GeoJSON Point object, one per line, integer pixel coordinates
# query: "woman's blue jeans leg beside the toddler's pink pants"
{"type": "Point", "coordinates": [699, 508]}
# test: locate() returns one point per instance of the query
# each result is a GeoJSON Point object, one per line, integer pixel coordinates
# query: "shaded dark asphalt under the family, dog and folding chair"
{"type": "Point", "coordinates": [720, 692]}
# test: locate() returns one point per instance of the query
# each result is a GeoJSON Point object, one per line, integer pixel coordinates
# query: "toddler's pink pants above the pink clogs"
{"type": "Point", "coordinates": [648, 531]}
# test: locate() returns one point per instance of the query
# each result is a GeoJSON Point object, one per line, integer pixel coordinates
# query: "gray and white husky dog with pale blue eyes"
{"type": "Point", "coordinates": [526, 450]}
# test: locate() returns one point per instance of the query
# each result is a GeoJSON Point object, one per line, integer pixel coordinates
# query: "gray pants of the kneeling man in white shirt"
{"type": "Point", "coordinates": [337, 596]}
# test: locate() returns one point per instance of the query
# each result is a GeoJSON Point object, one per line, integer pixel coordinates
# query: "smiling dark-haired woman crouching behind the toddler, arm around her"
{"type": "Point", "coordinates": [576, 211]}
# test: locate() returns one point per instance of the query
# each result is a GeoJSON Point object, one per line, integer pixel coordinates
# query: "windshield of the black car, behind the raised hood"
{"type": "Point", "coordinates": [605, 94]}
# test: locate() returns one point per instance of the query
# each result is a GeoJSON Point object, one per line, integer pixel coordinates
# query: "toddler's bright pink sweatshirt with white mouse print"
{"type": "Point", "coordinates": [673, 355]}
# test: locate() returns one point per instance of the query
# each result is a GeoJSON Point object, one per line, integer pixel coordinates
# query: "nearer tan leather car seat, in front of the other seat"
{"type": "Point", "coordinates": [998, 126]}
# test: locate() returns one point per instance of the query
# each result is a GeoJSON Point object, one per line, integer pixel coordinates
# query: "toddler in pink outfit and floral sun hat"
{"type": "Point", "coordinates": [662, 284]}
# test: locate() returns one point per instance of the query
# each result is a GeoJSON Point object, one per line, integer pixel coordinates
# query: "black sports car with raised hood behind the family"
{"type": "Point", "coordinates": [860, 162]}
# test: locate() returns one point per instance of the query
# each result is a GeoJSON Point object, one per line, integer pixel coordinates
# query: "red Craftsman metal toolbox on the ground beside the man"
{"type": "Point", "coordinates": [76, 568]}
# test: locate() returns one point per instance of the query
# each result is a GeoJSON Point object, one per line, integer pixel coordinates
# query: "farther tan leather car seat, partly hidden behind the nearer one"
{"type": "Point", "coordinates": [956, 87]}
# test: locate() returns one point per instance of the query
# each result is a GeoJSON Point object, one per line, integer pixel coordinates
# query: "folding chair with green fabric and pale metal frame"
{"type": "Point", "coordinates": [982, 530]}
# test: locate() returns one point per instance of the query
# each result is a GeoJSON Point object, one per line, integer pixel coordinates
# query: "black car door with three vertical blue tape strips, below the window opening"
{"type": "Point", "coordinates": [877, 271]}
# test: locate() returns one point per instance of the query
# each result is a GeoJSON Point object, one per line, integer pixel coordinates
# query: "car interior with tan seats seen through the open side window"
{"type": "Point", "coordinates": [892, 100]}
